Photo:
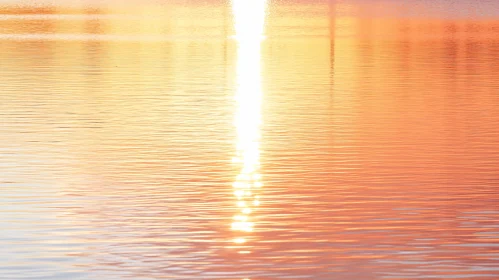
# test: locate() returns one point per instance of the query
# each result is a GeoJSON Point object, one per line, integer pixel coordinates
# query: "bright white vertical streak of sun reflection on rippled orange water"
{"type": "Point", "coordinates": [249, 19]}
